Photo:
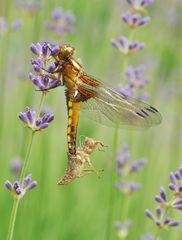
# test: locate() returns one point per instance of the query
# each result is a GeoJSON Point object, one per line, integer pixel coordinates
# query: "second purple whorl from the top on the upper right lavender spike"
{"type": "Point", "coordinates": [135, 20]}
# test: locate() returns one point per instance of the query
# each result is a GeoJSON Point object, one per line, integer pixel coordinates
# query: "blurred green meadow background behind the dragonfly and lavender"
{"type": "Point", "coordinates": [79, 211]}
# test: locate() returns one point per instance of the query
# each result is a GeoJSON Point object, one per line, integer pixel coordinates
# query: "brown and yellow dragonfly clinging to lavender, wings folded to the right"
{"type": "Point", "coordinates": [105, 104]}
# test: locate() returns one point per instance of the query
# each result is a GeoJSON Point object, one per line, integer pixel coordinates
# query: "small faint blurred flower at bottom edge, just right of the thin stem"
{"type": "Point", "coordinates": [123, 228]}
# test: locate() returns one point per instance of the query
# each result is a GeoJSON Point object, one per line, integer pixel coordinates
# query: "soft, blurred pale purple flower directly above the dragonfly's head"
{"type": "Point", "coordinates": [61, 22]}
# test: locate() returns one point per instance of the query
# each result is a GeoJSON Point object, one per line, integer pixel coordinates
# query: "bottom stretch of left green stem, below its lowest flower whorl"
{"type": "Point", "coordinates": [13, 219]}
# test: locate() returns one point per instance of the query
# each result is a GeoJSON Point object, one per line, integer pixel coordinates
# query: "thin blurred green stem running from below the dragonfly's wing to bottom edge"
{"type": "Point", "coordinates": [111, 188]}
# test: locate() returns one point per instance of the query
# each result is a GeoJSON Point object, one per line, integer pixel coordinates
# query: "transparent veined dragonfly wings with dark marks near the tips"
{"type": "Point", "coordinates": [111, 108]}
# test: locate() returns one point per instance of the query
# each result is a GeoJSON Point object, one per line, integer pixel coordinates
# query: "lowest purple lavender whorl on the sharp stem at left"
{"type": "Point", "coordinates": [19, 190]}
